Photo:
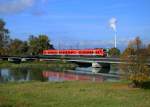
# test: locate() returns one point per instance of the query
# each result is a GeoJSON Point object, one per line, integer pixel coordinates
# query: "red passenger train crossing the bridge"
{"type": "Point", "coordinates": [81, 52]}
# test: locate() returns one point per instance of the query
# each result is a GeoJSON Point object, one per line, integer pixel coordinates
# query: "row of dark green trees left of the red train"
{"type": "Point", "coordinates": [14, 47]}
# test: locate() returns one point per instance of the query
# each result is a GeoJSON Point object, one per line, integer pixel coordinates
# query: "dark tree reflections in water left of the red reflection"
{"type": "Point", "coordinates": [20, 74]}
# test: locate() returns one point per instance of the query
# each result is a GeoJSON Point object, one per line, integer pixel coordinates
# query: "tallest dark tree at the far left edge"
{"type": "Point", "coordinates": [4, 38]}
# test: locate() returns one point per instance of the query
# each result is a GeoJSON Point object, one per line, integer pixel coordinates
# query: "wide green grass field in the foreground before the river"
{"type": "Point", "coordinates": [72, 94]}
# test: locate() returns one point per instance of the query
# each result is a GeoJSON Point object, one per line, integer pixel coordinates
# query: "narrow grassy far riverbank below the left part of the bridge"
{"type": "Point", "coordinates": [60, 65]}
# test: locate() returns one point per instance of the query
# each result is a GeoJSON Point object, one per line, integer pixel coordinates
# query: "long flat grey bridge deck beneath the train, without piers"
{"type": "Point", "coordinates": [110, 60]}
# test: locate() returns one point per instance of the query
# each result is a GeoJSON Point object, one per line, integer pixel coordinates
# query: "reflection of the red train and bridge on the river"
{"type": "Point", "coordinates": [80, 75]}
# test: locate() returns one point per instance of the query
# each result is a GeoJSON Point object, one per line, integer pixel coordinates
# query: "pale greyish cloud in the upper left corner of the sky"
{"type": "Point", "coordinates": [14, 6]}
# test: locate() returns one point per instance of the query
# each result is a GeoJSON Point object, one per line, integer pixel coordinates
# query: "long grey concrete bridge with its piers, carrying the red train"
{"type": "Point", "coordinates": [89, 61]}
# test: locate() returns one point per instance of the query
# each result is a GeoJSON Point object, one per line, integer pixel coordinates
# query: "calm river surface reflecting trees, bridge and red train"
{"type": "Point", "coordinates": [79, 73]}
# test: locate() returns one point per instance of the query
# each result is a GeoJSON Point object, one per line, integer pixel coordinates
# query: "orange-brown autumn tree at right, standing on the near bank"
{"type": "Point", "coordinates": [136, 68]}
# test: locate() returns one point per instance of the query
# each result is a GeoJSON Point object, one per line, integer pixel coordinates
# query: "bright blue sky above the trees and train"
{"type": "Point", "coordinates": [78, 22]}
